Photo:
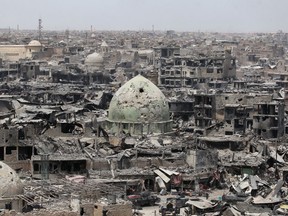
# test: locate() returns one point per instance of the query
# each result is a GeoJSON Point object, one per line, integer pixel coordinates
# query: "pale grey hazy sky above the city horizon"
{"type": "Point", "coordinates": [179, 15]}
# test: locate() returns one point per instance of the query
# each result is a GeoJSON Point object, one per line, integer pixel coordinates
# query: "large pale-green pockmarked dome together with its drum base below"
{"type": "Point", "coordinates": [139, 107]}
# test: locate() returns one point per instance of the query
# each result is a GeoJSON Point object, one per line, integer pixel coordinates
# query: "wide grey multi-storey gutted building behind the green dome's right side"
{"type": "Point", "coordinates": [188, 71]}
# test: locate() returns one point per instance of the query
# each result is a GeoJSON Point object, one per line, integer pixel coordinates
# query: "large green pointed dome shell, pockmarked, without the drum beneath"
{"type": "Point", "coordinates": [139, 100]}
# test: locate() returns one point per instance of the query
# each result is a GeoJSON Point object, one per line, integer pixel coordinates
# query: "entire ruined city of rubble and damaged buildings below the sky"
{"type": "Point", "coordinates": [92, 119]}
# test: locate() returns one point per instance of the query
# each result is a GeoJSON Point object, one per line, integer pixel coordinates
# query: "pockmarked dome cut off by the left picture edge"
{"type": "Point", "coordinates": [10, 183]}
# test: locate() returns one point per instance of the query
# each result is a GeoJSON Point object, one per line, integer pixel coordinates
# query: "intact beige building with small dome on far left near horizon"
{"type": "Point", "coordinates": [16, 52]}
